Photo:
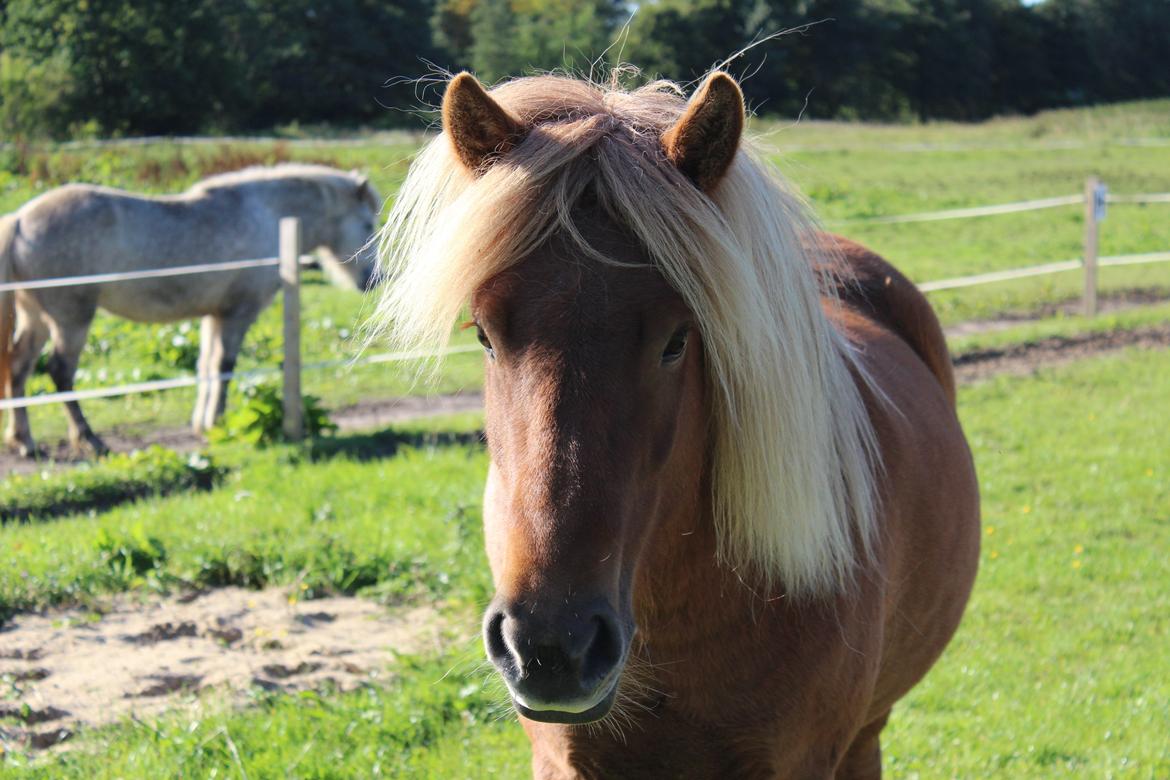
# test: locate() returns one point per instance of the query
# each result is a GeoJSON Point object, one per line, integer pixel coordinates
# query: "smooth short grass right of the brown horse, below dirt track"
{"type": "Point", "coordinates": [1059, 668]}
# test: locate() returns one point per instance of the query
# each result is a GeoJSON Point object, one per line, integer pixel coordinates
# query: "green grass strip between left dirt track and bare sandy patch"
{"type": "Point", "coordinates": [401, 528]}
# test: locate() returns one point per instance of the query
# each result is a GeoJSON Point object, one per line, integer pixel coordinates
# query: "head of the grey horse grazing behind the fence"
{"type": "Point", "coordinates": [352, 254]}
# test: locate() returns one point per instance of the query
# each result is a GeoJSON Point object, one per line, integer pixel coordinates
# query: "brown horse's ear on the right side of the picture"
{"type": "Point", "coordinates": [704, 142]}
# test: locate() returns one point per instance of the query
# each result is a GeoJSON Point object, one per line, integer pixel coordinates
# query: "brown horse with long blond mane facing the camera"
{"type": "Point", "coordinates": [732, 516]}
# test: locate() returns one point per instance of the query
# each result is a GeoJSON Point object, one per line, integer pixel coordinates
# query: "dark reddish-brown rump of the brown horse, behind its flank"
{"type": "Point", "coordinates": [871, 285]}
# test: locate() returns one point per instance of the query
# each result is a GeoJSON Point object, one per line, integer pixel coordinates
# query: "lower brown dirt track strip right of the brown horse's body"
{"type": "Point", "coordinates": [1057, 350]}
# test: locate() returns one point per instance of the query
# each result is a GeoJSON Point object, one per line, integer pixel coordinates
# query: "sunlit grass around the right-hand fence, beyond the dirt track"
{"type": "Point", "coordinates": [858, 183]}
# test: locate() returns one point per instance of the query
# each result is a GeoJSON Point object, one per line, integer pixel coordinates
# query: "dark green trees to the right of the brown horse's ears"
{"type": "Point", "coordinates": [928, 59]}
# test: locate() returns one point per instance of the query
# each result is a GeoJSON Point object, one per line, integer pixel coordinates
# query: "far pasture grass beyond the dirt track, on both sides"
{"type": "Point", "coordinates": [849, 172]}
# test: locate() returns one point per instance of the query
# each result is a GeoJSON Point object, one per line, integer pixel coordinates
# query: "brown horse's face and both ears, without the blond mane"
{"type": "Point", "coordinates": [597, 418]}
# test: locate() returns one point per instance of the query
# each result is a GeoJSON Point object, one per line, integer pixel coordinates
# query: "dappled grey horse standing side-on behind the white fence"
{"type": "Point", "coordinates": [82, 230]}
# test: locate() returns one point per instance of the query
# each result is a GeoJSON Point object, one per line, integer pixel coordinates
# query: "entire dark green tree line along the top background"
{"type": "Point", "coordinates": [135, 67]}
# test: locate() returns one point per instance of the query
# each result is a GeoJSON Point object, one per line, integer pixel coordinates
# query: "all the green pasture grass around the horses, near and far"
{"type": "Point", "coordinates": [1058, 669]}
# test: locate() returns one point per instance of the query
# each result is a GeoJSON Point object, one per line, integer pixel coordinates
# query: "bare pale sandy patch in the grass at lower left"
{"type": "Point", "coordinates": [68, 669]}
